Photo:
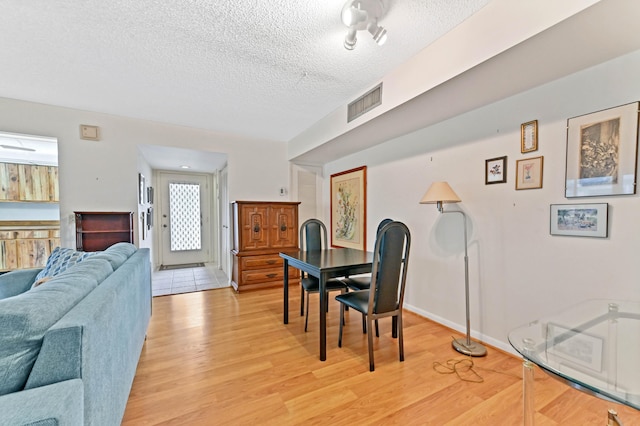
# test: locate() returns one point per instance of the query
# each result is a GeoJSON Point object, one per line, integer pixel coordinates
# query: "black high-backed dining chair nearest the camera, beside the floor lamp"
{"type": "Point", "coordinates": [388, 278]}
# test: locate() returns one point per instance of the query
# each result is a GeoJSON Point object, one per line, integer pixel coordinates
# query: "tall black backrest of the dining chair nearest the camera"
{"type": "Point", "coordinates": [390, 263]}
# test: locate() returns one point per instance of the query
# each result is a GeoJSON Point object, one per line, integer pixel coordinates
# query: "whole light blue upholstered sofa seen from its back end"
{"type": "Point", "coordinates": [69, 347]}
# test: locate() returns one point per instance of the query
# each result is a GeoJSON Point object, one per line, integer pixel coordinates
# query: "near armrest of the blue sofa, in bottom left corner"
{"type": "Point", "coordinates": [57, 404]}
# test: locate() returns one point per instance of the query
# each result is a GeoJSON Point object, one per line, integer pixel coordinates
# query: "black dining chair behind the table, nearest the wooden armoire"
{"type": "Point", "coordinates": [313, 236]}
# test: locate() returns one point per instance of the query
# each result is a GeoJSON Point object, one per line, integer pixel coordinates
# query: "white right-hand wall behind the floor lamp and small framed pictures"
{"type": "Point", "coordinates": [518, 272]}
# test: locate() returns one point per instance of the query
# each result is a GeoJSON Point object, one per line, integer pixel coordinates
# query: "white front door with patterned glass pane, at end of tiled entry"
{"type": "Point", "coordinates": [185, 218]}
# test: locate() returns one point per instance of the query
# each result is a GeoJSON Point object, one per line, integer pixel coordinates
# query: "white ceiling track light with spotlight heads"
{"type": "Point", "coordinates": [360, 15]}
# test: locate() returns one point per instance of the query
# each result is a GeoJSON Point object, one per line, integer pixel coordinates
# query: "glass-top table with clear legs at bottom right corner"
{"type": "Point", "coordinates": [593, 346]}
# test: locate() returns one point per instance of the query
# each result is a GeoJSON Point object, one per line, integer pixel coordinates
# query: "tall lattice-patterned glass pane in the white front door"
{"type": "Point", "coordinates": [184, 216]}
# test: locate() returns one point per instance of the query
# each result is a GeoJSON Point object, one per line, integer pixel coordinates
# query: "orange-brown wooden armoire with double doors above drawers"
{"type": "Point", "coordinates": [261, 230]}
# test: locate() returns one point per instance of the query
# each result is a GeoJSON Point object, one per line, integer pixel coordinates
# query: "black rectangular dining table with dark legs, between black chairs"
{"type": "Point", "coordinates": [324, 264]}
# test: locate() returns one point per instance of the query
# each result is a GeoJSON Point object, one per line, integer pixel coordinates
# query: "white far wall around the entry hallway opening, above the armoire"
{"type": "Point", "coordinates": [103, 175]}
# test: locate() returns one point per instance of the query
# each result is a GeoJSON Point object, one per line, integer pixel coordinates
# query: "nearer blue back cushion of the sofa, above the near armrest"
{"type": "Point", "coordinates": [26, 317]}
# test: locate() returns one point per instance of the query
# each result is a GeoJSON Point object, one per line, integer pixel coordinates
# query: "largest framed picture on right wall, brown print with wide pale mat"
{"type": "Point", "coordinates": [601, 152]}
